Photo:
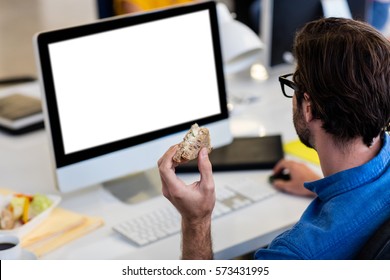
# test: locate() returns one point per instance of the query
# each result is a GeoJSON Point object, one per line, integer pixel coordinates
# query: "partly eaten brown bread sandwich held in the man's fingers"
{"type": "Point", "coordinates": [194, 140]}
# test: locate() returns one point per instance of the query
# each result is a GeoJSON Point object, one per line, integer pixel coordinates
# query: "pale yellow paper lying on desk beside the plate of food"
{"type": "Point", "coordinates": [60, 228]}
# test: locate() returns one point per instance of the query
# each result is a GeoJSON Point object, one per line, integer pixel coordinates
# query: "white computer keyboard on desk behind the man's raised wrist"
{"type": "Point", "coordinates": [166, 221]}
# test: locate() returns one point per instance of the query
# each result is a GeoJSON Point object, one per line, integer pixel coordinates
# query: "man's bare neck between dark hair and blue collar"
{"type": "Point", "coordinates": [336, 157]}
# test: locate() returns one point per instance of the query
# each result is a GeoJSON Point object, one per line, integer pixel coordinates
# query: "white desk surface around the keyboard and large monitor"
{"type": "Point", "coordinates": [25, 167]}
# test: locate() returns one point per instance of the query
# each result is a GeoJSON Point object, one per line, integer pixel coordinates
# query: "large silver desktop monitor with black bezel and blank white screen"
{"type": "Point", "coordinates": [117, 93]}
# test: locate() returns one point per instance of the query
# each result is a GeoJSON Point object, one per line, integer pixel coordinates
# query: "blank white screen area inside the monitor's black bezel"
{"type": "Point", "coordinates": [130, 81]}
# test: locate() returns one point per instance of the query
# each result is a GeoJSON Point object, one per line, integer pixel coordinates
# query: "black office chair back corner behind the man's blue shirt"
{"type": "Point", "coordinates": [378, 245]}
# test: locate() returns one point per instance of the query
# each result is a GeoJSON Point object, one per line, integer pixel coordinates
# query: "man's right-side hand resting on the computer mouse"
{"type": "Point", "coordinates": [299, 173]}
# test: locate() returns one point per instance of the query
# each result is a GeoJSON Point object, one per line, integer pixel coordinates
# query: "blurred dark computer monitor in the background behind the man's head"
{"type": "Point", "coordinates": [280, 19]}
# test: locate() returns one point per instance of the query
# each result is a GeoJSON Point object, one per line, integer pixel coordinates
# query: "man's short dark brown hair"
{"type": "Point", "coordinates": [344, 66]}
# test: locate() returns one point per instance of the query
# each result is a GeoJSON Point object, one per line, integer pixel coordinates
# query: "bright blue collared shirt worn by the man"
{"type": "Point", "coordinates": [349, 207]}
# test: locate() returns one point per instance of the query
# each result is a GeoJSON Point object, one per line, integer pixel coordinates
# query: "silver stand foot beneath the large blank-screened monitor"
{"type": "Point", "coordinates": [136, 188]}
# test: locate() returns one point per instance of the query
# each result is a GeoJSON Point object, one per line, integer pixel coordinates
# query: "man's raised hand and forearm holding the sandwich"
{"type": "Point", "coordinates": [195, 202]}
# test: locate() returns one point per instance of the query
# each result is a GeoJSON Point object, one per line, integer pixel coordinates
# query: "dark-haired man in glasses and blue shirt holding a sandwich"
{"type": "Point", "coordinates": [341, 108]}
